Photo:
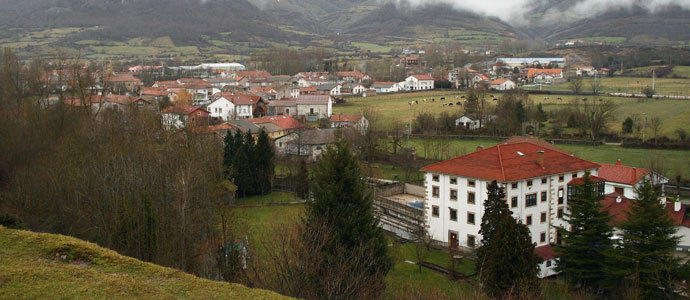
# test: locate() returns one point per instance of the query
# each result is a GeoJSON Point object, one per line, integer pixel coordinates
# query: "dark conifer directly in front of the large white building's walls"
{"type": "Point", "coordinates": [505, 269]}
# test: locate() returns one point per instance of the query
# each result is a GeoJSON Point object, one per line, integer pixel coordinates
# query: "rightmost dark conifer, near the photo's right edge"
{"type": "Point", "coordinates": [648, 246]}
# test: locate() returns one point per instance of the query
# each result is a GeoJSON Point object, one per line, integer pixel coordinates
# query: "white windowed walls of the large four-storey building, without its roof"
{"type": "Point", "coordinates": [537, 202]}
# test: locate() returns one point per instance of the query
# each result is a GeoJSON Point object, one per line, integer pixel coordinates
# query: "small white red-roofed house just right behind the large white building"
{"type": "Point", "coordinates": [623, 180]}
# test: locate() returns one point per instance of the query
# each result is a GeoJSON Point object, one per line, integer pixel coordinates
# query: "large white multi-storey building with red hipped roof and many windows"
{"type": "Point", "coordinates": [534, 175]}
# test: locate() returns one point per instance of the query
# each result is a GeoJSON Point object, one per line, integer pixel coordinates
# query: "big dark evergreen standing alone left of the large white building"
{"type": "Point", "coordinates": [342, 202]}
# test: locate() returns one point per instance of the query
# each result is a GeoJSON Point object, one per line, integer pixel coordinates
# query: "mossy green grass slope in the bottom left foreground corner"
{"type": "Point", "coordinates": [48, 266]}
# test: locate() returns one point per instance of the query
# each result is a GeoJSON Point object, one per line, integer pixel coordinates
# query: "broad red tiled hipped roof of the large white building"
{"type": "Point", "coordinates": [505, 163]}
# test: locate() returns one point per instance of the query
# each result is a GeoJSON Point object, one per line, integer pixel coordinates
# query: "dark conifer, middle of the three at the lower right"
{"type": "Point", "coordinates": [587, 257]}
